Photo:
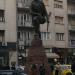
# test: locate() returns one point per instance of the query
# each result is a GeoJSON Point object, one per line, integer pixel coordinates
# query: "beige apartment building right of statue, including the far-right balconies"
{"type": "Point", "coordinates": [61, 29]}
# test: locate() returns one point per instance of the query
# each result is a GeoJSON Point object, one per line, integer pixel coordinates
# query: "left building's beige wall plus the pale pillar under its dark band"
{"type": "Point", "coordinates": [9, 26]}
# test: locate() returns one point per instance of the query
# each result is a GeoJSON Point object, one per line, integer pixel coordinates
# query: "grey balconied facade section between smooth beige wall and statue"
{"type": "Point", "coordinates": [25, 29]}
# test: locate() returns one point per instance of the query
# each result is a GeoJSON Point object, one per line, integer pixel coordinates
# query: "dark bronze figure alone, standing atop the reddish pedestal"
{"type": "Point", "coordinates": [39, 15]}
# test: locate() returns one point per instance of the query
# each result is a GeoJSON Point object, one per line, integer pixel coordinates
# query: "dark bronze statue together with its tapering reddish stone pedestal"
{"type": "Point", "coordinates": [36, 53]}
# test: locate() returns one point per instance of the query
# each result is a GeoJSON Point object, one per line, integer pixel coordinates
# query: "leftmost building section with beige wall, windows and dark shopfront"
{"type": "Point", "coordinates": [8, 38]}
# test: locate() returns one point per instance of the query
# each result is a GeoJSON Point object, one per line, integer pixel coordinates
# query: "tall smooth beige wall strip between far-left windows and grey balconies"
{"type": "Point", "coordinates": [10, 21]}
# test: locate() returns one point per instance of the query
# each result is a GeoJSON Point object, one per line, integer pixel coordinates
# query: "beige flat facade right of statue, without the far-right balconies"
{"type": "Point", "coordinates": [57, 35]}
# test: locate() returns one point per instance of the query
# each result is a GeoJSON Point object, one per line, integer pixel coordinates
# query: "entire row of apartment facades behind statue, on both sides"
{"type": "Point", "coordinates": [17, 32]}
